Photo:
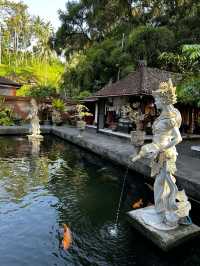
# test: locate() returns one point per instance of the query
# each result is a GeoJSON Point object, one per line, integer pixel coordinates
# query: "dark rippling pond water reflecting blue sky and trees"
{"type": "Point", "coordinates": [63, 184]}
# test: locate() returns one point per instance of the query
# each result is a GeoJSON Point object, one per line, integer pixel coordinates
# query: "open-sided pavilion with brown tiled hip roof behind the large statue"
{"type": "Point", "coordinates": [136, 88]}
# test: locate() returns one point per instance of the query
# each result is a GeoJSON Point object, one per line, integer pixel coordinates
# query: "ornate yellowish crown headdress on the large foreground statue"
{"type": "Point", "coordinates": [167, 92]}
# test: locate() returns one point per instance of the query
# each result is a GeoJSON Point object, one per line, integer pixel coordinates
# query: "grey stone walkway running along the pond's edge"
{"type": "Point", "coordinates": [118, 151]}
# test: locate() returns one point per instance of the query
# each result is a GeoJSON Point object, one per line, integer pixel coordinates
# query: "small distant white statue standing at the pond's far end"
{"type": "Point", "coordinates": [35, 122]}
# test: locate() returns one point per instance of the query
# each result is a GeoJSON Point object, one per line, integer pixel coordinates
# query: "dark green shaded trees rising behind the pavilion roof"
{"type": "Point", "coordinates": [103, 40]}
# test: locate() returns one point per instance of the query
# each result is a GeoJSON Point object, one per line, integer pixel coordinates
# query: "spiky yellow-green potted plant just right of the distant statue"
{"type": "Point", "coordinates": [58, 106]}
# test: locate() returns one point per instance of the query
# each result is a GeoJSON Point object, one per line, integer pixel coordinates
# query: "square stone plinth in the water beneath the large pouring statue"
{"type": "Point", "coordinates": [165, 240]}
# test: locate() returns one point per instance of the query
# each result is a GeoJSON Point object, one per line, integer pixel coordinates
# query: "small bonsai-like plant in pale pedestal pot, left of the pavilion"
{"type": "Point", "coordinates": [81, 112]}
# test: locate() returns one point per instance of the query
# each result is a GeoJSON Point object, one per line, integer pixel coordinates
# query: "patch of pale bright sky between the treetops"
{"type": "Point", "coordinates": [46, 9]}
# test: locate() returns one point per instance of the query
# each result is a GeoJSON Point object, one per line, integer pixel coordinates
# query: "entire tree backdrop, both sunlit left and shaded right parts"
{"type": "Point", "coordinates": [101, 41]}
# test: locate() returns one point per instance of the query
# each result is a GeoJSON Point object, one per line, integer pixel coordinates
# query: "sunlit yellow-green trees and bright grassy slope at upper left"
{"type": "Point", "coordinates": [26, 50]}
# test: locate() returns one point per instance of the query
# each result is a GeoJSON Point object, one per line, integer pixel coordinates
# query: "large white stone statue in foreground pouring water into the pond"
{"type": "Point", "coordinates": [171, 206]}
